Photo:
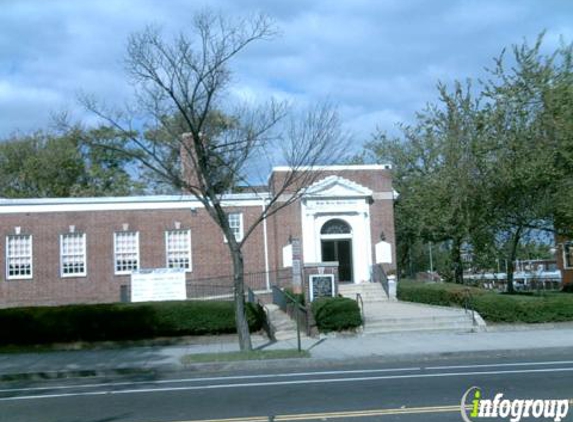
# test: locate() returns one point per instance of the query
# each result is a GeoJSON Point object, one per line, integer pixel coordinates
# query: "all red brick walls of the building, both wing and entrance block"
{"type": "Point", "coordinates": [210, 256]}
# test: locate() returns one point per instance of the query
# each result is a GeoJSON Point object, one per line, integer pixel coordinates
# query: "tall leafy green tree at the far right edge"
{"type": "Point", "coordinates": [530, 151]}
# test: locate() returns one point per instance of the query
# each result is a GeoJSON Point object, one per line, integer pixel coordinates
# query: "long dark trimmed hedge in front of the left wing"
{"type": "Point", "coordinates": [40, 325]}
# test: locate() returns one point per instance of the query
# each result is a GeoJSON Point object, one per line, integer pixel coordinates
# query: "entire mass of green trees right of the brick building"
{"type": "Point", "coordinates": [487, 174]}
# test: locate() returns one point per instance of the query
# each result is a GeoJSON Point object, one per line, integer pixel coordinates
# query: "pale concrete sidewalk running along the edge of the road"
{"type": "Point", "coordinates": [328, 349]}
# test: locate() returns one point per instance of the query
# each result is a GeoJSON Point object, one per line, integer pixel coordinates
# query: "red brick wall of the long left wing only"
{"type": "Point", "coordinates": [209, 253]}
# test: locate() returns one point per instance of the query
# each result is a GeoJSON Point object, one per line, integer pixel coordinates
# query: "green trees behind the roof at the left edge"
{"type": "Point", "coordinates": [44, 165]}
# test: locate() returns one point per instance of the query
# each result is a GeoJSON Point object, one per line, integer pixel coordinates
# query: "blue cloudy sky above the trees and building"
{"type": "Point", "coordinates": [379, 61]}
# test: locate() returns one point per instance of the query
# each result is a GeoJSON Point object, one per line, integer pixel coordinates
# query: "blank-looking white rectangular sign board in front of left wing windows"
{"type": "Point", "coordinates": [158, 284]}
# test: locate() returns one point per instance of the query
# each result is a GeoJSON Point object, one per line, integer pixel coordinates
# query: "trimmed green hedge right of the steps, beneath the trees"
{"type": "Point", "coordinates": [492, 306]}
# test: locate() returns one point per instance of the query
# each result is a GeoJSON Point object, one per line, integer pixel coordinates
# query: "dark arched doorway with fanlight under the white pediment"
{"type": "Point", "coordinates": [336, 245]}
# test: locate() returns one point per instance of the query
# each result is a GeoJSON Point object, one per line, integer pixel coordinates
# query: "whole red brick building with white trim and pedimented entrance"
{"type": "Point", "coordinates": [82, 250]}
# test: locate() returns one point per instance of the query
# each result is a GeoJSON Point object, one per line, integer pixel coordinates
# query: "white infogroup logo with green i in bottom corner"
{"type": "Point", "coordinates": [478, 408]}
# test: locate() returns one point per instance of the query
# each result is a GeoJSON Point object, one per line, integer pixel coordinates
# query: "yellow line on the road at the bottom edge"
{"type": "Point", "coordinates": [338, 415]}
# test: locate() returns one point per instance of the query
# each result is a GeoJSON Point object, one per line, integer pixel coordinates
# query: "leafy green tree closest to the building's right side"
{"type": "Point", "coordinates": [437, 174]}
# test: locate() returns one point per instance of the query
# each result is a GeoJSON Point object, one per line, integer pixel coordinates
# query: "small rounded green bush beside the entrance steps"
{"type": "Point", "coordinates": [336, 314]}
